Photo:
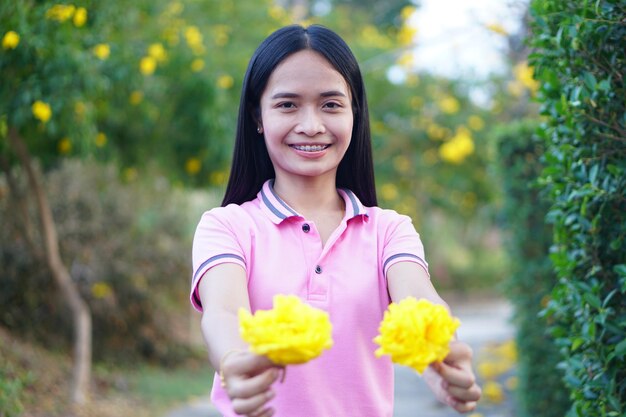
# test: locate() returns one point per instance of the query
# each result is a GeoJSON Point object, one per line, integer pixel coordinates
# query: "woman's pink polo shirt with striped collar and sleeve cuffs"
{"type": "Point", "coordinates": [282, 253]}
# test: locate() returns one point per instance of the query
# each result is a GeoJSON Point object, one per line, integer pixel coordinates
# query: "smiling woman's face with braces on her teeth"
{"type": "Point", "coordinates": [306, 116]}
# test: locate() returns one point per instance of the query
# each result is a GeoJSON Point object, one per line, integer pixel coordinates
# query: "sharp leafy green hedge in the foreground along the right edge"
{"type": "Point", "coordinates": [579, 58]}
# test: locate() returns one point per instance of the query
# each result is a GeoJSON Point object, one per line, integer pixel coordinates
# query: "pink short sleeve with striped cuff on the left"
{"type": "Point", "coordinates": [215, 242]}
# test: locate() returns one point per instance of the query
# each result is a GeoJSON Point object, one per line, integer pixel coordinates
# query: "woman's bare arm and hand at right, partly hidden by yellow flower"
{"type": "Point", "coordinates": [453, 380]}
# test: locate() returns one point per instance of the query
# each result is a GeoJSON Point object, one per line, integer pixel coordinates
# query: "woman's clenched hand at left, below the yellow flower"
{"type": "Point", "coordinates": [247, 379]}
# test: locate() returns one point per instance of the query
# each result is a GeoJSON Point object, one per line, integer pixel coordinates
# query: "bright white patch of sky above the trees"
{"type": "Point", "coordinates": [453, 39]}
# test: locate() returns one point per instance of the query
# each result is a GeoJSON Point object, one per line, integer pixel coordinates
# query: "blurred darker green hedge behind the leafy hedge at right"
{"type": "Point", "coordinates": [532, 278]}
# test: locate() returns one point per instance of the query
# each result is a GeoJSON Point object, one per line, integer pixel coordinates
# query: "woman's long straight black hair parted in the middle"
{"type": "Point", "coordinates": [251, 165]}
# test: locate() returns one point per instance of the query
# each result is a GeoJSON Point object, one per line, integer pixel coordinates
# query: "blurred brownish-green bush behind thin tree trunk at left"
{"type": "Point", "coordinates": [127, 247]}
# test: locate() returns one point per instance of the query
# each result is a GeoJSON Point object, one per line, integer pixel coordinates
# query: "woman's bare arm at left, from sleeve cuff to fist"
{"type": "Point", "coordinates": [247, 377]}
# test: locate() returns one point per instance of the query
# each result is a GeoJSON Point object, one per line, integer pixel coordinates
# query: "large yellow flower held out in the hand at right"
{"type": "Point", "coordinates": [416, 333]}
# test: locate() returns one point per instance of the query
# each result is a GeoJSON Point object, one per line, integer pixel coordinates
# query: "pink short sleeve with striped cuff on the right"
{"type": "Point", "coordinates": [402, 243]}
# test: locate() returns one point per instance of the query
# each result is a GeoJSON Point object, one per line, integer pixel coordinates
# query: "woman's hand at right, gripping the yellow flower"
{"type": "Point", "coordinates": [453, 380]}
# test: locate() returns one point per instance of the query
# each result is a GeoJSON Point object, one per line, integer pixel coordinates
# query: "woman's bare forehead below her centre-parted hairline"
{"type": "Point", "coordinates": [306, 71]}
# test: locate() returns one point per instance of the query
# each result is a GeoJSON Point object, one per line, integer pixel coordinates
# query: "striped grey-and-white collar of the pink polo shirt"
{"type": "Point", "coordinates": [277, 210]}
